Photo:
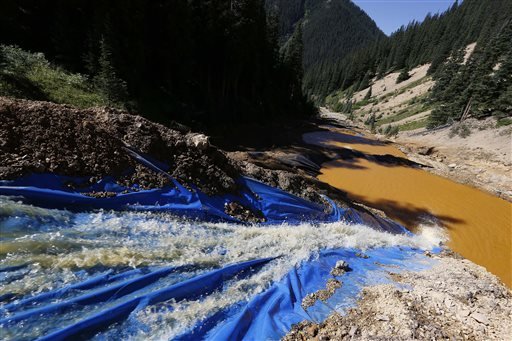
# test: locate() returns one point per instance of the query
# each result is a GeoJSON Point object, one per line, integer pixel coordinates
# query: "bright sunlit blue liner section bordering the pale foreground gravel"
{"type": "Point", "coordinates": [271, 314]}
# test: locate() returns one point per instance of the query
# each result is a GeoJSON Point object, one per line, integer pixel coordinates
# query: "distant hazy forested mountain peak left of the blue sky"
{"type": "Point", "coordinates": [331, 29]}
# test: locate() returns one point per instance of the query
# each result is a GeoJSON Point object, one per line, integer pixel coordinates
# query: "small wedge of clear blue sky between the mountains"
{"type": "Point", "coordinates": [391, 14]}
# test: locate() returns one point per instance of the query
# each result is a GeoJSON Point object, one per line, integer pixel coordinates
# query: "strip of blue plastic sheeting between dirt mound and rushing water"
{"type": "Point", "coordinates": [50, 191]}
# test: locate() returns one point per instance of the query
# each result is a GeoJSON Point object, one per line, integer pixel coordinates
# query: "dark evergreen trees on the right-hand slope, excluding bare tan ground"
{"type": "Point", "coordinates": [478, 83]}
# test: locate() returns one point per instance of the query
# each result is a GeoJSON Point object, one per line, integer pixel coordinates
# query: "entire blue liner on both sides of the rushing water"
{"type": "Point", "coordinates": [269, 315]}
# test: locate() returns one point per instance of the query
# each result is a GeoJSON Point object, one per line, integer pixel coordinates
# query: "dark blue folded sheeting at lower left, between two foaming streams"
{"type": "Point", "coordinates": [118, 296]}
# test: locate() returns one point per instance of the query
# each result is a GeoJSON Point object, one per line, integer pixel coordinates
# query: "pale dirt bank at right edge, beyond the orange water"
{"type": "Point", "coordinates": [482, 160]}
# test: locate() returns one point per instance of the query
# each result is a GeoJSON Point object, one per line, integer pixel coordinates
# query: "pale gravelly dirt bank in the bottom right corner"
{"type": "Point", "coordinates": [455, 299]}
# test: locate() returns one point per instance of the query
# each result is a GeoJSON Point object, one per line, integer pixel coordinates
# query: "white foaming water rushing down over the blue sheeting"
{"type": "Point", "coordinates": [63, 242]}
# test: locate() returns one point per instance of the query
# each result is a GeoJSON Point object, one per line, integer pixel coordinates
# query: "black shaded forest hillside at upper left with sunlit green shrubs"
{"type": "Point", "coordinates": [203, 62]}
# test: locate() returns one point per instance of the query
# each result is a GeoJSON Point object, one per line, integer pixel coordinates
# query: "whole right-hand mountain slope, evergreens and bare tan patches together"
{"type": "Point", "coordinates": [466, 53]}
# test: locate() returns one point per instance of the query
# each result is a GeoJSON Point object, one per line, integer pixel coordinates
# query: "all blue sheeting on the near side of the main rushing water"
{"type": "Point", "coordinates": [112, 297]}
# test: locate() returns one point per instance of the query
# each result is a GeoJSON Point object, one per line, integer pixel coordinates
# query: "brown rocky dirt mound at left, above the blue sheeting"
{"type": "Point", "coordinates": [42, 137]}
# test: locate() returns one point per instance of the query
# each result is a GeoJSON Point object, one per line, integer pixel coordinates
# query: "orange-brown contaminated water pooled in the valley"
{"type": "Point", "coordinates": [479, 225]}
